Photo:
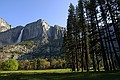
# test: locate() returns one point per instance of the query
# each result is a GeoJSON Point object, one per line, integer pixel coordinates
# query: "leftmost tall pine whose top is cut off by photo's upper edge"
{"type": "Point", "coordinates": [85, 57]}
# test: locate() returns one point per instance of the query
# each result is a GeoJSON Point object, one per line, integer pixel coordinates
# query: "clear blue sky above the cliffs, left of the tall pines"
{"type": "Point", "coordinates": [21, 12]}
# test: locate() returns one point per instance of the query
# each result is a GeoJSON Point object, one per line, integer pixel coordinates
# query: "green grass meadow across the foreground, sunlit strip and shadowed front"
{"type": "Point", "coordinates": [58, 74]}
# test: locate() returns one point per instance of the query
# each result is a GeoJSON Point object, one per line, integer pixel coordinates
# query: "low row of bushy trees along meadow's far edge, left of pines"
{"type": "Point", "coordinates": [34, 64]}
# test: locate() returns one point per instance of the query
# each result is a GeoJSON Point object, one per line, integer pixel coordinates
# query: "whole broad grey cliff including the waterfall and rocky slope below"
{"type": "Point", "coordinates": [46, 40]}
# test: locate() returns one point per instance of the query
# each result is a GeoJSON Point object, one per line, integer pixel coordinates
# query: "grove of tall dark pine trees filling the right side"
{"type": "Point", "coordinates": [92, 39]}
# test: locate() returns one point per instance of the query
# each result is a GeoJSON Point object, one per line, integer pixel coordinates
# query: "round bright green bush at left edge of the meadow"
{"type": "Point", "coordinates": [10, 65]}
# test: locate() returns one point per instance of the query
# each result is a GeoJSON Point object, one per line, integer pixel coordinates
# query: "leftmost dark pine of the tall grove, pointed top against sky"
{"type": "Point", "coordinates": [70, 35]}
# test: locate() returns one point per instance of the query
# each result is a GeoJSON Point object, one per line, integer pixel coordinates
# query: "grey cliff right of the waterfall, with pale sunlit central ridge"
{"type": "Point", "coordinates": [49, 38]}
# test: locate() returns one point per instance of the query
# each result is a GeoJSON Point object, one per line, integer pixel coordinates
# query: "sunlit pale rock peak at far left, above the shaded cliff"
{"type": "Point", "coordinates": [4, 26]}
